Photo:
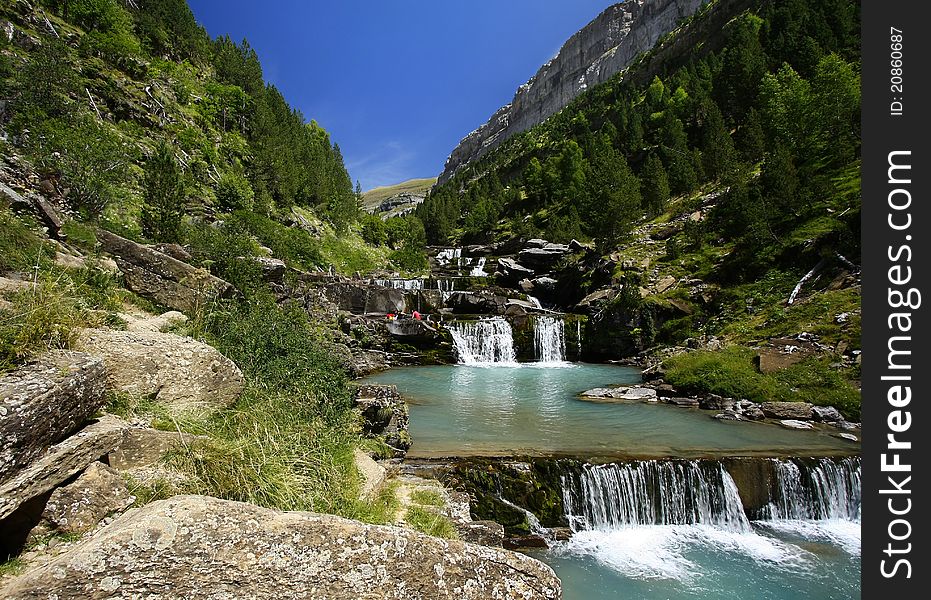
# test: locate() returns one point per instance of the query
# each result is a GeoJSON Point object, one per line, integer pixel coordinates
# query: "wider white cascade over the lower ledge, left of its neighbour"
{"type": "Point", "coordinates": [670, 492]}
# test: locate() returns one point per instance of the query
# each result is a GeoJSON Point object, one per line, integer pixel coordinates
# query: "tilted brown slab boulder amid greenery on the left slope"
{"type": "Point", "coordinates": [159, 277]}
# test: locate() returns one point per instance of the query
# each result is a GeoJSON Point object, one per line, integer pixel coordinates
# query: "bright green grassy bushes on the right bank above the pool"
{"type": "Point", "coordinates": [732, 373]}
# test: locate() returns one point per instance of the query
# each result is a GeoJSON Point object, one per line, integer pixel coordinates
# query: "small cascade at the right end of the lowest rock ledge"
{"type": "Point", "coordinates": [815, 490]}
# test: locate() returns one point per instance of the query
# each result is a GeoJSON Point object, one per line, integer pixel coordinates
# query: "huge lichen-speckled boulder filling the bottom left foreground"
{"type": "Point", "coordinates": [192, 546]}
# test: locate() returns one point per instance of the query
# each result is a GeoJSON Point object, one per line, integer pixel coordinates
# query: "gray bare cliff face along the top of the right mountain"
{"type": "Point", "coordinates": [594, 54]}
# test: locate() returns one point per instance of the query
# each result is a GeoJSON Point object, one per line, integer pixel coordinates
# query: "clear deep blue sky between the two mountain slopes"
{"type": "Point", "coordinates": [398, 83]}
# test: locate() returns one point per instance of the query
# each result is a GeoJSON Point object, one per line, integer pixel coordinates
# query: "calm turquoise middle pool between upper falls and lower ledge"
{"type": "Point", "coordinates": [535, 410]}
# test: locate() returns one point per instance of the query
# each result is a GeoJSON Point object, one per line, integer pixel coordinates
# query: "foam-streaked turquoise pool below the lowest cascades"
{"type": "Point", "coordinates": [778, 561]}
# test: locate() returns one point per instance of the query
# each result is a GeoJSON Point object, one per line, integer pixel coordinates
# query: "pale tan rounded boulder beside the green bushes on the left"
{"type": "Point", "coordinates": [180, 372]}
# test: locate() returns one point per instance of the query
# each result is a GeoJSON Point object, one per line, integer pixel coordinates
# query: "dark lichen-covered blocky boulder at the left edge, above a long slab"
{"type": "Point", "coordinates": [45, 401]}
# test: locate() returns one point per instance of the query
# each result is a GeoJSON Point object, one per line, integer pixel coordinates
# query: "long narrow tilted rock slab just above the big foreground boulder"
{"type": "Point", "coordinates": [60, 463]}
